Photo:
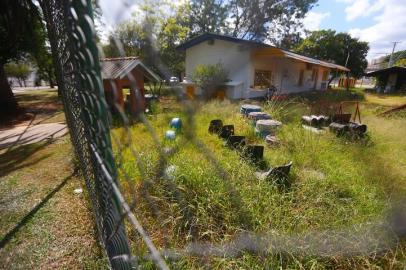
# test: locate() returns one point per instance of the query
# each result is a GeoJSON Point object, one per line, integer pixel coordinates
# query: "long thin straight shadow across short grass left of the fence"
{"type": "Point", "coordinates": [33, 211]}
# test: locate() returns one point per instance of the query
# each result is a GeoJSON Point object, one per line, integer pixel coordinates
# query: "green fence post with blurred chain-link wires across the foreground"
{"type": "Point", "coordinates": [72, 37]}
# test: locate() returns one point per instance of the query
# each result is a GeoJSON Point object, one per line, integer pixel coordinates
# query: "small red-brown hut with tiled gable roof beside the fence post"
{"type": "Point", "coordinates": [125, 73]}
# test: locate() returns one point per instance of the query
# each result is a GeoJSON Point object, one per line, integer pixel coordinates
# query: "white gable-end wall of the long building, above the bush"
{"type": "Point", "coordinates": [234, 57]}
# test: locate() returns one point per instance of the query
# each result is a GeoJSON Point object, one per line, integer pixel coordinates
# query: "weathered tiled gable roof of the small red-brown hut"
{"type": "Point", "coordinates": [118, 68]}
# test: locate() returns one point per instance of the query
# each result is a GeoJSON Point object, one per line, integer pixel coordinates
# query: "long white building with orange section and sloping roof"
{"type": "Point", "coordinates": [253, 66]}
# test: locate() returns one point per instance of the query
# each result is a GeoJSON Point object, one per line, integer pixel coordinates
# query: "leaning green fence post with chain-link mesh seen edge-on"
{"type": "Point", "coordinates": [72, 37]}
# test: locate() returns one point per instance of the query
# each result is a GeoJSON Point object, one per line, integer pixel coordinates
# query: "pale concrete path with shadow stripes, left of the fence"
{"type": "Point", "coordinates": [31, 134]}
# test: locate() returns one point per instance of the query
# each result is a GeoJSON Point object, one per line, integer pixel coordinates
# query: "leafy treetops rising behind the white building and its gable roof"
{"type": "Point", "coordinates": [154, 34]}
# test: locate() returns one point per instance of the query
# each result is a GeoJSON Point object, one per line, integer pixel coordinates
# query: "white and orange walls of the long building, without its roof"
{"type": "Point", "coordinates": [237, 59]}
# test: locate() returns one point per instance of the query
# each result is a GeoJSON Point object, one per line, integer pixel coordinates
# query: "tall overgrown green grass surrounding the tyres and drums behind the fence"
{"type": "Point", "coordinates": [337, 184]}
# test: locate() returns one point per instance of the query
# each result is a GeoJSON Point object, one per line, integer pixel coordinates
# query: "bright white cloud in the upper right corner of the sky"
{"type": "Point", "coordinates": [388, 26]}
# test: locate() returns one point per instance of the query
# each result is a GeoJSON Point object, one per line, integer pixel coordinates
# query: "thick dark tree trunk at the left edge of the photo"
{"type": "Point", "coordinates": [8, 103]}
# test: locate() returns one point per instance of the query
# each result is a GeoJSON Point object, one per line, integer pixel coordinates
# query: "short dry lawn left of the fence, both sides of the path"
{"type": "Point", "coordinates": [61, 234]}
